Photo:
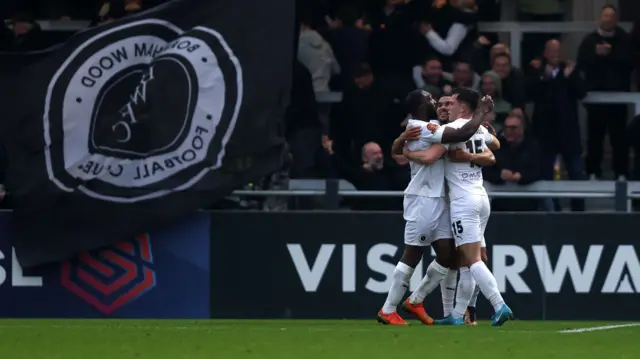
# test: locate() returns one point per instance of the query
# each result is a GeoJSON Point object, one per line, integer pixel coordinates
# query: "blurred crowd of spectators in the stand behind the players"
{"type": "Point", "coordinates": [373, 52]}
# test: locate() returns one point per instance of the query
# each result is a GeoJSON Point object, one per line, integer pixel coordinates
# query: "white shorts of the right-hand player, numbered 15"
{"type": "Point", "coordinates": [469, 218]}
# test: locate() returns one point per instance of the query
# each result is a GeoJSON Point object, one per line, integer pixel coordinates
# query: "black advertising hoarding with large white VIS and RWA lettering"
{"type": "Point", "coordinates": [338, 265]}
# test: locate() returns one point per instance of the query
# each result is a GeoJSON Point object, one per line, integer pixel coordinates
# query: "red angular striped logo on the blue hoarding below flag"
{"type": "Point", "coordinates": [111, 278]}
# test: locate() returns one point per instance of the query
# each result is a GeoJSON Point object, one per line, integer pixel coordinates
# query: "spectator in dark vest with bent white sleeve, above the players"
{"type": "Point", "coordinates": [452, 30]}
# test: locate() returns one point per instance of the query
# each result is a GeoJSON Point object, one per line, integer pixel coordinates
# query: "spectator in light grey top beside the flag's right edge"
{"type": "Point", "coordinates": [316, 54]}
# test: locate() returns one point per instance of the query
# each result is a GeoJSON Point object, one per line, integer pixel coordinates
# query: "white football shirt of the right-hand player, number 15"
{"type": "Point", "coordinates": [465, 178]}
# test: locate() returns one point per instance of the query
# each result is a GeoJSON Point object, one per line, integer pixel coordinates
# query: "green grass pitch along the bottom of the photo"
{"type": "Point", "coordinates": [310, 339]}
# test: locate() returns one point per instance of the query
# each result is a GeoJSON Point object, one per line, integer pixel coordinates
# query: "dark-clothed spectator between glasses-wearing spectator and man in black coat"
{"type": "Point", "coordinates": [513, 82]}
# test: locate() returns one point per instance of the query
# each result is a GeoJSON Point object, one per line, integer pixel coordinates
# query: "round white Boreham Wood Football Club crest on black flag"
{"type": "Point", "coordinates": [141, 110]}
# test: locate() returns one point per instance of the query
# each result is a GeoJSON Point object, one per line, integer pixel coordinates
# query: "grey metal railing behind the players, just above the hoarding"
{"type": "Point", "coordinates": [621, 192]}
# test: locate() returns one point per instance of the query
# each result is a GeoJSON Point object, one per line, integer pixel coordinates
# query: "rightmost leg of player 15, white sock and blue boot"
{"type": "Point", "coordinates": [479, 270]}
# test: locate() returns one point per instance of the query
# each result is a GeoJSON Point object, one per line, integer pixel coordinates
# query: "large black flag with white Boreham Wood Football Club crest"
{"type": "Point", "coordinates": [137, 122]}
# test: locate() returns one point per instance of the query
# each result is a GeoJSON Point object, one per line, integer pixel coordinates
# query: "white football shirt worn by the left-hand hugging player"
{"type": "Point", "coordinates": [426, 180]}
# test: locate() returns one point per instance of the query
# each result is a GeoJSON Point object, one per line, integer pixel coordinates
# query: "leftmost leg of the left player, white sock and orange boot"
{"type": "Point", "coordinates": [411, 256]}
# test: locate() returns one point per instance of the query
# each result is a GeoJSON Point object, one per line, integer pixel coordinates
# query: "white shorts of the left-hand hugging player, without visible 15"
{"type": "Point", "coordinates": [427, 220]}
